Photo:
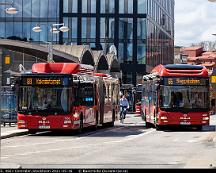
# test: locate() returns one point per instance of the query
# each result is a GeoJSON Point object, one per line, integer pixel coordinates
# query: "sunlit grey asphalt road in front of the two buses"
{"type": "Point", "coordinates": [128, 145]}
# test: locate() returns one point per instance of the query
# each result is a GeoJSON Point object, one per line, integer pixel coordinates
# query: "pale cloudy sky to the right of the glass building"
{"type": "Point", "coordinates": [195, 21]}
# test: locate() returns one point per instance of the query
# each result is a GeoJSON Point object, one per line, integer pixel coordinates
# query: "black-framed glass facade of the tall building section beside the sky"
{"type": "Point", "coordinates": [142, 31]}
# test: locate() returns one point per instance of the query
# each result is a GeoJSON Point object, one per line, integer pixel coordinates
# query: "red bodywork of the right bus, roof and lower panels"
{"type": "Point", "coordinates": [175, 118]}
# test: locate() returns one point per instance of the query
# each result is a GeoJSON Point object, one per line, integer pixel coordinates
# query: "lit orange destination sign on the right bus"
{"type": "Point", "coordinates": [184, 81]}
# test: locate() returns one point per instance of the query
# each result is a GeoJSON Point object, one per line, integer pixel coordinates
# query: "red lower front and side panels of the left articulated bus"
{"type": "Point", "coordinates": [57, 121]}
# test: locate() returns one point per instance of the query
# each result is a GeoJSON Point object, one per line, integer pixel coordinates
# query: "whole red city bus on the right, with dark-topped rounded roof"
{"type": "Point", "coordinates": [176, 95]}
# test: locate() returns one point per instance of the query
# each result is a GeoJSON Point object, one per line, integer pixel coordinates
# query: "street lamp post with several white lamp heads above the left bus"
{"type": "Point", "coordinates": [53, 30]}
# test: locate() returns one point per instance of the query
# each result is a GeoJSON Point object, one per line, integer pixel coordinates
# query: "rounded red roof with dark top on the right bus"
{"type": "Point", "coordinates": [180, 70]}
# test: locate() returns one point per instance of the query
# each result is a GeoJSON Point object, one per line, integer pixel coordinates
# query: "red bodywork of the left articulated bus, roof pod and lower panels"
{"type": "Point", "coordinates": [69, 121]}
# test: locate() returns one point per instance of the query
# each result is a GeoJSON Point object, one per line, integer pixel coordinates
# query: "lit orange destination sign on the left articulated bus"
{"type": "Point", "coordinates": [44, 81]}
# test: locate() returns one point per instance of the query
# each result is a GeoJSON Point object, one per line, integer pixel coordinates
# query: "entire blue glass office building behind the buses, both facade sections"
{"type": "Point", "coordinates": [141, 30]}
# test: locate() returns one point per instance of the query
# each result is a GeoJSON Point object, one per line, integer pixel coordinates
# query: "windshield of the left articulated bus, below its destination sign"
{"type": "Point", "coordinates": [41, 100]}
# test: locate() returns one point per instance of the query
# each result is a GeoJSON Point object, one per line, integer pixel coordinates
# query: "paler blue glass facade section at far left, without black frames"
{"type": "Point", "coordinates": [31, 12]}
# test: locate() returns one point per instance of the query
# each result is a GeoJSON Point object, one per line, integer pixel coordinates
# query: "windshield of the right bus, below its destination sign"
{"type": "Point", "coordinates": [184, 97]}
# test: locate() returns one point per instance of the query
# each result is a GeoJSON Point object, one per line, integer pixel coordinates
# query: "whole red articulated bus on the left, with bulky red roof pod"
{"type": "Point", "coordinates": [66, 96]}
